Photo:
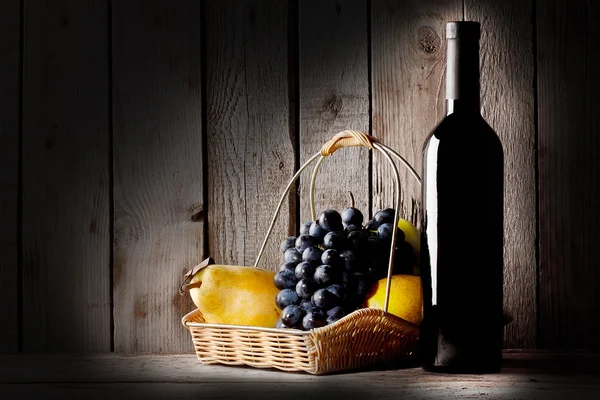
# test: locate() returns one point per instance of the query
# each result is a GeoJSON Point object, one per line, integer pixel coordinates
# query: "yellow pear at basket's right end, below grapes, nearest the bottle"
{"type": "Point", "coordinates": [406, 297]}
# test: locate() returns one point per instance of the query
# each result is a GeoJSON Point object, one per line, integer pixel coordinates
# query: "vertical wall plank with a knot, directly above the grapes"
{"type": "Point", "coordinates": [334, 95]}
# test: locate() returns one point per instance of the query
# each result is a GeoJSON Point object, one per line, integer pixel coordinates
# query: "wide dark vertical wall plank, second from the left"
{"type": "Point", "coordinates": [66, 304]}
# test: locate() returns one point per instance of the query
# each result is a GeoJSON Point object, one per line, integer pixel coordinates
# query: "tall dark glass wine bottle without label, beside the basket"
{"type": "Point", "coordinates": [462, 227]}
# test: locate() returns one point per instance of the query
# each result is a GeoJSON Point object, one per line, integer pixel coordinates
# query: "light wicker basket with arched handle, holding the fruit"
{"type": "Point", "coordinates": [363, 339]}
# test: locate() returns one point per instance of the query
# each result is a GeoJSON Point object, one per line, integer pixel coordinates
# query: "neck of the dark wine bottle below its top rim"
{"type": "Point", "coordinates": [462, 76]}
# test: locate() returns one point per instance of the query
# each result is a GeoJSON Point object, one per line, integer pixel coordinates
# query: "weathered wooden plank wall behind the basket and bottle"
{"type": "Point", "coordinates": [147, 135]}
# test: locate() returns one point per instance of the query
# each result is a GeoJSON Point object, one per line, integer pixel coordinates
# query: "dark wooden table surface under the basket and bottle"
{"type": "Point", "coordinates": [525, 375]}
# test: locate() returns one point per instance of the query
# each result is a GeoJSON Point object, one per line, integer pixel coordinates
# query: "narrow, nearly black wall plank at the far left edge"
{"type": "Point", "coordinates": [10, 24]}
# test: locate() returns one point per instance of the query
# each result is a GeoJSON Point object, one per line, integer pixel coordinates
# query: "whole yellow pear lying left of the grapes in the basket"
{"type": "Point", "coordinates": [235, 295]}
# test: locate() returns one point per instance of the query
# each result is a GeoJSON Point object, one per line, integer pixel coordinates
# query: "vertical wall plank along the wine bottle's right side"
{"type": "Point", "coordinates": [507, 102]}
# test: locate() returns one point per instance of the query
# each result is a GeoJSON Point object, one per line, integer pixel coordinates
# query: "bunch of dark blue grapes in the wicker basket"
{"type": "Point", "coordinates": [329, 269]}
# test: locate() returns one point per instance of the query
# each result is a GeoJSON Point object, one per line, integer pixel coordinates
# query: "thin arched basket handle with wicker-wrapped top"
{"type": "Point", "coordinates": [348, 139]}
